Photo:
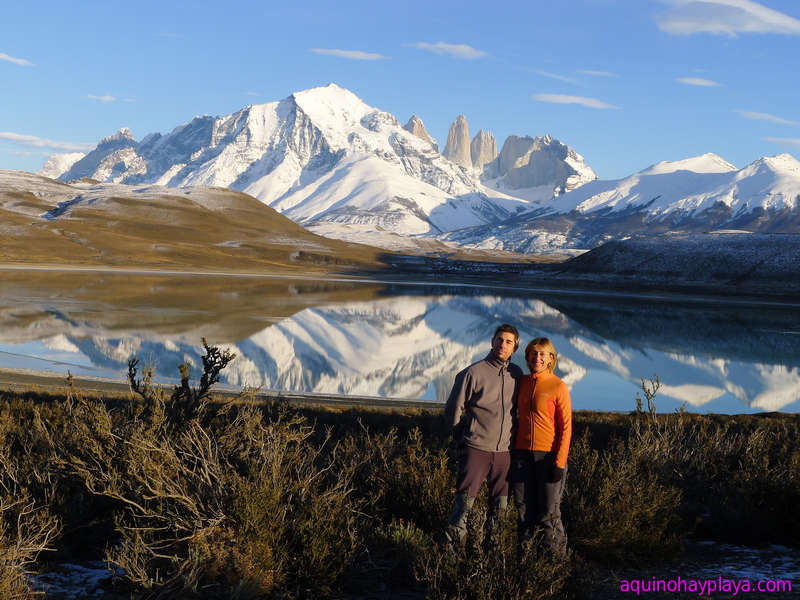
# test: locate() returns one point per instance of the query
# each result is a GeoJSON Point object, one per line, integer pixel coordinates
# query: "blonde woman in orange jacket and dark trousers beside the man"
{"type": "Point", "coordinates": [541, 446]}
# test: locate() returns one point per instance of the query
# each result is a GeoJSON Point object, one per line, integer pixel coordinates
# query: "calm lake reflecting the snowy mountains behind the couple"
{"type": "Point", "coordinates": [401, 340]}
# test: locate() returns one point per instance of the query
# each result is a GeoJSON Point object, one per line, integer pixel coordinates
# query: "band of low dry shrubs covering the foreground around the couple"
{"type": "Point", "coordinates": [195, 497]}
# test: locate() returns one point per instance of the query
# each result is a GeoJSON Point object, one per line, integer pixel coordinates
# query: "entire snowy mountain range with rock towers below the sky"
{"type": "Point", "coordinates": [344, 169]}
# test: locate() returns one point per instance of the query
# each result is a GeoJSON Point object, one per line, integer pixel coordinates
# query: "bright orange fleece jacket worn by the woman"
{"type": "Point", "coordinates": [544, 411]}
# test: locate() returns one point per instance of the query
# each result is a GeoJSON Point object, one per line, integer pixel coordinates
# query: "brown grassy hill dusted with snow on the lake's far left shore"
{"type": "Point", "coordinates": [45, 222]}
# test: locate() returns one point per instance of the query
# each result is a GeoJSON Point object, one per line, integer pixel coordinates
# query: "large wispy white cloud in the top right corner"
{"type": "Point", "coordinates": [727, 17]}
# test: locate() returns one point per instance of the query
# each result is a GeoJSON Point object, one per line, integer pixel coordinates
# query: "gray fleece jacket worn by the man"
{"type": "Point", "coordinates": [484, 394]}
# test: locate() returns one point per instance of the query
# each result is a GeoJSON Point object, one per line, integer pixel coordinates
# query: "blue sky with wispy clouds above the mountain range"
{"type": "Point", "coordinates": [626, 83]}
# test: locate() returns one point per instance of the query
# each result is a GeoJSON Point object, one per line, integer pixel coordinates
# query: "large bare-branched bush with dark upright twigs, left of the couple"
{"type": "Point", "coordinates": [216, 499]}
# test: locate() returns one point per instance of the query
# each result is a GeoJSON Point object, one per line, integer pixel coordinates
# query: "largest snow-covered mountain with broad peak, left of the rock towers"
{"type": "Point", "coordinates": [318, 156]}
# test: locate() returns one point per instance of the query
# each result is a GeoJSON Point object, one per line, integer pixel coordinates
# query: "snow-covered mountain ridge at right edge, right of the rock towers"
{"type": "Point", "coordinates": [703, 193]}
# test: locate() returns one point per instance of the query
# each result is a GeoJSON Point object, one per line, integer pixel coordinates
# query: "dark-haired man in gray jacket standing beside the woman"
{"type": "Point", "coordinates": [480, 410]}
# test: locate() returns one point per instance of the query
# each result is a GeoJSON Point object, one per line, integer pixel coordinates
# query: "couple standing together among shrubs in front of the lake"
{"type": "Point", "coordinates": [512, 431]}
